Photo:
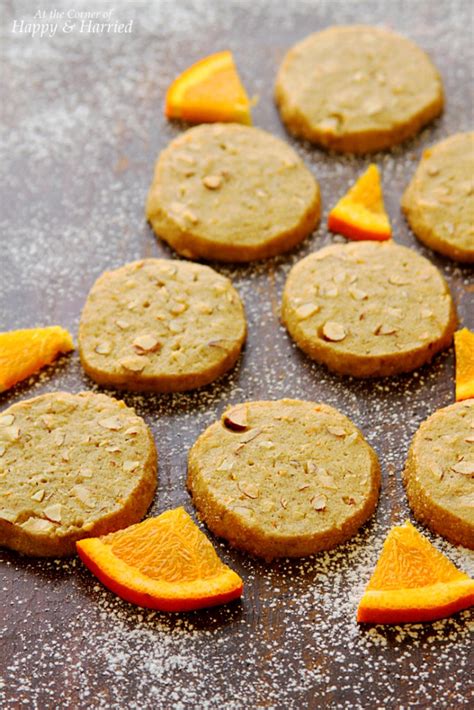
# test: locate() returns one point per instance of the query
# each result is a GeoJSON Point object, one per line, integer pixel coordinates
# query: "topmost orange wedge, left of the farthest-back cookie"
{"type": "Point", "coordinates": [209, 91]}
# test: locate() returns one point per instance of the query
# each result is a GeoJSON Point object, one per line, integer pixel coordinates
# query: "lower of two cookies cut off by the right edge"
{"type": "Point", "coordinates": [439, 473]}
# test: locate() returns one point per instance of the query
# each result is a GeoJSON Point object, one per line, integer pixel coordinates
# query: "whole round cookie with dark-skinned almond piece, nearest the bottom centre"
{"type": "Point", "coordinates": [283, 478]}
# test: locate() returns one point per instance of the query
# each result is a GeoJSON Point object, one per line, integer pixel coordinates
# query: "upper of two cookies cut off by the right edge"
{"type": "Point", "coordinates": [439, 201]}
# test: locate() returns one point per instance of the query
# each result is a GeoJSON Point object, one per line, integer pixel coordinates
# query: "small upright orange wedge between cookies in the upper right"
{"type": "Point", "coordinates": [361, 214]}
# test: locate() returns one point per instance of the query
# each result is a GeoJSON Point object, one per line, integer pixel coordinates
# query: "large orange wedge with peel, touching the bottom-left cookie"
{"type": "Point", "coordinates": [163, 563]}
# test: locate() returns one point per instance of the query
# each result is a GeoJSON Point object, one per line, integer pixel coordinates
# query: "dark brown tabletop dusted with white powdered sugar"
{"type": "Point", "coordinates": [83, 125]}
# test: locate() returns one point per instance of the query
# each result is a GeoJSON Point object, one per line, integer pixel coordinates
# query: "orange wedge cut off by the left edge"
{"type": "Point", "coordinates": [24, 352]}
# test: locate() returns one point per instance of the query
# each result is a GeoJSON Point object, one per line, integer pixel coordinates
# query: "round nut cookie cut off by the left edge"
{"type": "Point", "coordinates": [71, 466]}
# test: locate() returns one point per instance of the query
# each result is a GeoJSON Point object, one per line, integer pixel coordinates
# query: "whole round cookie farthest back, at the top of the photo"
{"type": "Point", "coordinates": [357, 89]}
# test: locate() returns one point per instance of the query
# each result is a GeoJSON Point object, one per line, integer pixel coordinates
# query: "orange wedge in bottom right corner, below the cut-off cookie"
{"type": "Point", "coordinates": [413, 581]}
